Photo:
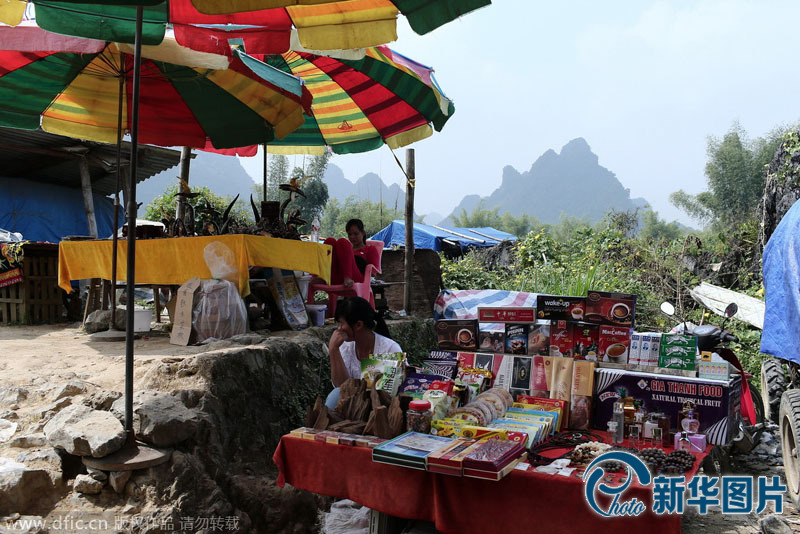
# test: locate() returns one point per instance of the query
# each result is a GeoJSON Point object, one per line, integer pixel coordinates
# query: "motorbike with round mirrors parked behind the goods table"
{"type": "Point", "coordinates": [750, 417]}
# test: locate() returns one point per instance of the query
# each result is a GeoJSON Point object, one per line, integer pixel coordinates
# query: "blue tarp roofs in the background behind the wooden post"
{"type": "Point", "coordinates": [426, 236]}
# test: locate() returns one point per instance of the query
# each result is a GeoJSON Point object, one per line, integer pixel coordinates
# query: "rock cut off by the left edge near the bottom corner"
{"type": "Point", "coordinates": [20, 486]}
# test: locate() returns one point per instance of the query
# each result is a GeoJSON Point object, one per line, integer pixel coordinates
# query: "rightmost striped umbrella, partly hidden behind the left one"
{"type": "Point", "coordinates": [358, 105]}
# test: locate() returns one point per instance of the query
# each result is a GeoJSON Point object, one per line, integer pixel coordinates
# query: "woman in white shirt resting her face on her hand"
{"type": "Point", "coordinates": [361, 333]}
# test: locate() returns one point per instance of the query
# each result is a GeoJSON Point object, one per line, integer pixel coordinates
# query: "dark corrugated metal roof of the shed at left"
{"type": "Point", "coordinates": [50, 158]}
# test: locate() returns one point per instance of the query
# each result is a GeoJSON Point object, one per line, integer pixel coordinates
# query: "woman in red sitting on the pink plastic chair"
{"type": "Point", "coordinates": [352, 255]}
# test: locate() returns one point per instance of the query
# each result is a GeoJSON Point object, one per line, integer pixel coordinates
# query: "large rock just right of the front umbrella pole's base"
{"type": "Point", "coordinates": [159, 418]}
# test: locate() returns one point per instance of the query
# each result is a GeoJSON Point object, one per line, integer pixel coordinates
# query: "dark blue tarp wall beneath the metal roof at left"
{"type": "Point", "coordinates": [47, 212]}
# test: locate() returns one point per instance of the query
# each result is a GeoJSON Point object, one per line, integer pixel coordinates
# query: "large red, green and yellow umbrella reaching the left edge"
{"type": "Point", "coordinates": [72, 86]}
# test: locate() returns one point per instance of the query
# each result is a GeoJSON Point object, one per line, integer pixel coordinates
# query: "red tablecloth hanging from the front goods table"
{"type": "Point", "coordinates": [522, 502]}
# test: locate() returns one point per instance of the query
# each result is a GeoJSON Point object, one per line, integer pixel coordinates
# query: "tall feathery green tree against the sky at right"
{"type": "Point", "coordinates": [735, 174]}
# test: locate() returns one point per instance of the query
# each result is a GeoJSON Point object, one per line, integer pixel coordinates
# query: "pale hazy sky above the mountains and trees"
{"type": "Point", "coordinates": [645, 83]}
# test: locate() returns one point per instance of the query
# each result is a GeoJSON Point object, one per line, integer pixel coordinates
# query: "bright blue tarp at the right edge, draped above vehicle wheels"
{"type": "Point", "coordinates": [781, 266]}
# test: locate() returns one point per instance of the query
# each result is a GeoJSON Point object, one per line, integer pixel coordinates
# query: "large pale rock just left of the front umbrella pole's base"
{"type": "Point", "coordinates": [85, 432]}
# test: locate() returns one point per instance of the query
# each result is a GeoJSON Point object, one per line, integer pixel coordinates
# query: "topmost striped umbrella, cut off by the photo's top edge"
{"type": "Point", "coordinates": [263, 25]}
